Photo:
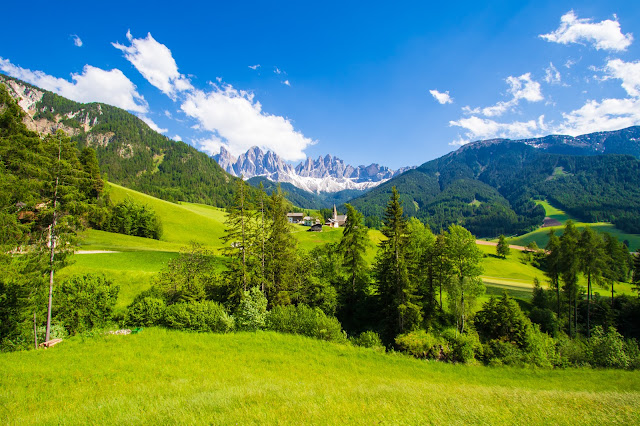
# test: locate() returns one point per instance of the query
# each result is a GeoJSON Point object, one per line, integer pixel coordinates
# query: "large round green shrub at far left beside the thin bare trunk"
{"type": "Point", "coordinates": [85, 301]}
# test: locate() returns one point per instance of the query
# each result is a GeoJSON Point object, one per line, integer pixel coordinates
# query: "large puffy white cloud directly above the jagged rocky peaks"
{"type": "Point", "coordinates": [238, 123]}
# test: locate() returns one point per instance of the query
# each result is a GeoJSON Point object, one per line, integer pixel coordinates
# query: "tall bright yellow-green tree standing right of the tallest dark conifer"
{"type": "Point", "coordinates": [466, 284]}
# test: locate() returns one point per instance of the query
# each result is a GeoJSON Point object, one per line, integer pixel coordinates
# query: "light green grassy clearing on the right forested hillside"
{"type": "Point", "coordinates": [541, 238]}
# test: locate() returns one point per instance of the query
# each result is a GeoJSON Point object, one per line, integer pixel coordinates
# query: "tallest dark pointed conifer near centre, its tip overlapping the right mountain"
{"type": "Point", "coordinates": [397, 292]}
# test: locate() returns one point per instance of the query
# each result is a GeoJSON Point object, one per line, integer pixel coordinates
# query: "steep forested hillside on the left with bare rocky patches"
{"type": "Point", "coordinates": [129, 152]}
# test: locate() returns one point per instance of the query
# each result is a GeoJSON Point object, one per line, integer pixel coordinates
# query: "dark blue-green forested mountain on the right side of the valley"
{"type": "Point", "coordinates": [489, 187]}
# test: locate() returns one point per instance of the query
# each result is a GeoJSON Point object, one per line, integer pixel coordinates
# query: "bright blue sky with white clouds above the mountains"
{"type": "Point", "coordinates": [393, 83]}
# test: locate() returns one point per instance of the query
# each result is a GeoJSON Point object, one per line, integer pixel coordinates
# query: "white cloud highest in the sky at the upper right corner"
{"type": "Point", "coordinates": [604, 35]}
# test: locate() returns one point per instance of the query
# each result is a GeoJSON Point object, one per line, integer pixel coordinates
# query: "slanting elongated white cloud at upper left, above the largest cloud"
{"type": "Point", "coordinates": [156, 64]}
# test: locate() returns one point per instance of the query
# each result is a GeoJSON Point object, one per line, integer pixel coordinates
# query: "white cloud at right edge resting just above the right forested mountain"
{"type": "Point", "coordinates": [594, 116]}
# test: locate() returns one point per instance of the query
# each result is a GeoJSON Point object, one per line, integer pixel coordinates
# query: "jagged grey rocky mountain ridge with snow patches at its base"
{"type": "Point", "coordinates": [325, 174]}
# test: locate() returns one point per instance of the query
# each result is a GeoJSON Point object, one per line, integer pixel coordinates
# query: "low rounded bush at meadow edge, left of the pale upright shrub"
{"type": "Point", "coordinates": [198, 316]}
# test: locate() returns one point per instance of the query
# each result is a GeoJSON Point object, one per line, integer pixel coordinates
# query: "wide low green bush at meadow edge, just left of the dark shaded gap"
{"type": "Point", "coordinates": [306, 321]}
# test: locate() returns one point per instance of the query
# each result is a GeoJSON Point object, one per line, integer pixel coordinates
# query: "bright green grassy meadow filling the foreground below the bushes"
{"type": "Point", "coordinates": [162, 376]}
